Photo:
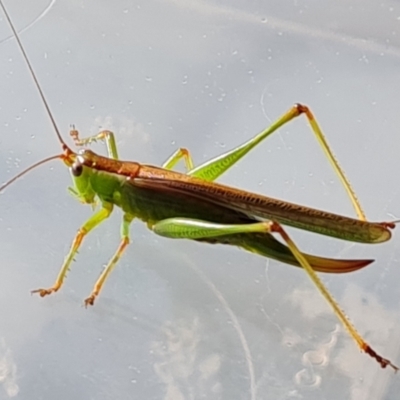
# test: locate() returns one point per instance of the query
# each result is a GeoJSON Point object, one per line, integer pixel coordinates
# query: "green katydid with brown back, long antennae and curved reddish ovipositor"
{"type": "Point", "coordinates": [192, 206]}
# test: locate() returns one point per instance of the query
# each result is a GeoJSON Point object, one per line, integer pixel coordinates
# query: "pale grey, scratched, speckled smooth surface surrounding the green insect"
{"type": "Point", "coordinates": [179, 320]}
